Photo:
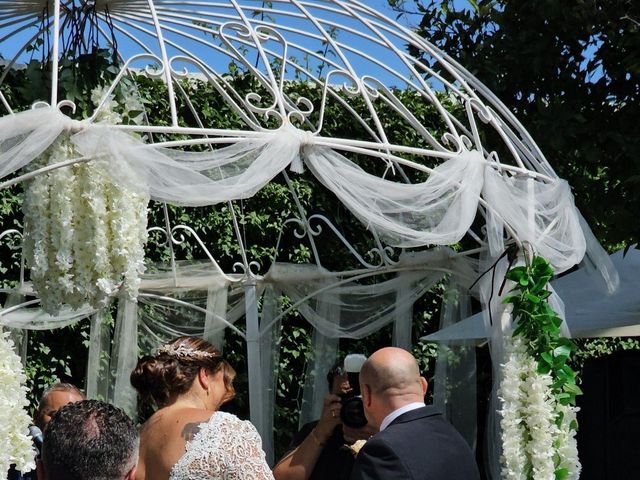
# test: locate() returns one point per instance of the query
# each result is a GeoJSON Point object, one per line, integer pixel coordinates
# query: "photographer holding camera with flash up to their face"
{"type": "Point", "coordinates": [320, 450]}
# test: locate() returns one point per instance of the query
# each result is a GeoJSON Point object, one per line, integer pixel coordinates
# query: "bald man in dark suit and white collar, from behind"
{"type": "Point", "coordinates": [415, 441]}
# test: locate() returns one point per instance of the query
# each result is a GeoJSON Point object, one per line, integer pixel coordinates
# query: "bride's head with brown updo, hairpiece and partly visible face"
{"type": "Point", "coordinates": [186, 364]}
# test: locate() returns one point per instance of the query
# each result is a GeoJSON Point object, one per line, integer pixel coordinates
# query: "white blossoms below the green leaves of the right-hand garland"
{"type": "Point", "coordinates": [533, 446]}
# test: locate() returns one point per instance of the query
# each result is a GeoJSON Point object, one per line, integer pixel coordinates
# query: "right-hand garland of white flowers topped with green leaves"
{"type": "Point", "coordinates": [538, 387]}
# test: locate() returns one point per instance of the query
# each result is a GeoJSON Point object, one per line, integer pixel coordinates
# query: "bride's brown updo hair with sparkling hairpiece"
{"type": "Point", "coordinates": [175, 366]}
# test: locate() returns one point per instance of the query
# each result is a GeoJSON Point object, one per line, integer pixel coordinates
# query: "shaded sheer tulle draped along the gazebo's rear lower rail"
{"type": "Point", "coordinates": [199, 299]}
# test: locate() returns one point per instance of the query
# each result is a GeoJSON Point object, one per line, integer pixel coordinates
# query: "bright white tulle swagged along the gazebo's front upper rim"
{"type": "Point", "coordinates": [437, 211]}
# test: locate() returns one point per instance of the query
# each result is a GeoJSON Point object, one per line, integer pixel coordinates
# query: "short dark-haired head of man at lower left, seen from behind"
{"type": "Point", "coordinates": [89, 440]}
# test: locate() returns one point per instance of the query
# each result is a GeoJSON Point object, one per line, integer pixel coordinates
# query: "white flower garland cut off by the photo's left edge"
{"type": "Point", "coordinates": [16, 446]}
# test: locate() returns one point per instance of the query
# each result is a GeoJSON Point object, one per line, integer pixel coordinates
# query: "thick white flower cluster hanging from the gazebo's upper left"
{"type": "Point", "coordinates": [84, 235]}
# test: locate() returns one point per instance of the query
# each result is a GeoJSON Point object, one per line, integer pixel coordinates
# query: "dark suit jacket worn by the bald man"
{"type": "Point", "coordinates": [418, 445]}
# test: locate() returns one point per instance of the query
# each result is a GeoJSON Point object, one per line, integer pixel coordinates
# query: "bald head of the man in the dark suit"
{"type": "Point", "coordinates": [390, 379]}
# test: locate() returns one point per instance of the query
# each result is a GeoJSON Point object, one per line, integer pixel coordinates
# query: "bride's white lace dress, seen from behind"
{"type": "Point", "coordinates": [225, 448]}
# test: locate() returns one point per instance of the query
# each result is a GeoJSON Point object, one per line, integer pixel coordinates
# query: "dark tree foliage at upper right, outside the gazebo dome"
{"type": "Point", "coordinates": [570, 71]}
